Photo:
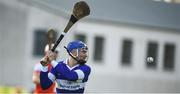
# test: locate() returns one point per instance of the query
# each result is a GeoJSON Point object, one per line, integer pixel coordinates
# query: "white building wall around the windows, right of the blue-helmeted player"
{"type": "Point", "coordinates": [111, 76]}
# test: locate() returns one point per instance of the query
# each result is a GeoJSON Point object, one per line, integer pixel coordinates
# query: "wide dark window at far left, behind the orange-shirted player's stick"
{"type": "Point", "coordinates": [40, 41]}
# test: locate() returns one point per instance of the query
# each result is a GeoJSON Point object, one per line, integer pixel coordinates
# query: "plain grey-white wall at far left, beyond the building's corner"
{"type": "Point", "coordinates": [13, 18]}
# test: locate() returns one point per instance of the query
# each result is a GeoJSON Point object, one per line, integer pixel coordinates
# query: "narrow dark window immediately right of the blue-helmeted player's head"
{"type": "Point", "coordinates": [98, 49]}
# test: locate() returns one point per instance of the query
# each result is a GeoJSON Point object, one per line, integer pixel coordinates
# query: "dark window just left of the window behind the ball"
{"type": "Point", "coordinates": [126, 52]}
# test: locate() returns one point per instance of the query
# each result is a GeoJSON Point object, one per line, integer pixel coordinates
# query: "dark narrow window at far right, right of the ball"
{"type": "Point", "coordinates": [169, 54]}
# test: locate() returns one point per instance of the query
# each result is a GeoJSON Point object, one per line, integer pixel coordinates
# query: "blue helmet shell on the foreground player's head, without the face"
{"type": "Point", "coordinates": [77, 44]}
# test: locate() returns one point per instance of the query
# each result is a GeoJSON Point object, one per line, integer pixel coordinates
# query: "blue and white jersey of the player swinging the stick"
{"type": "Point", "coordinates": [69, 80]}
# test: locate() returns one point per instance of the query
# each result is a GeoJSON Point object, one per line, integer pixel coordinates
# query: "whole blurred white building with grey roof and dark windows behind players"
{"type": "Point", "coordinates": [119, 42]}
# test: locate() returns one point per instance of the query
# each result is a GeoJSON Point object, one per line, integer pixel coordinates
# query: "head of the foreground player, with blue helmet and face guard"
{"type": "Point", "coordinates": [81, 49]}
